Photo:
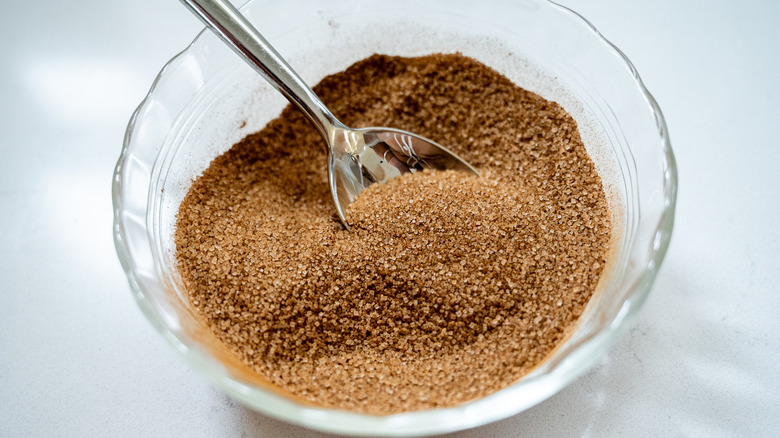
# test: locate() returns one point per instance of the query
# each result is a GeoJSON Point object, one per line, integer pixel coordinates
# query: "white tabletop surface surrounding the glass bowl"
{"type": "Point", "coordinates": [77, 358]}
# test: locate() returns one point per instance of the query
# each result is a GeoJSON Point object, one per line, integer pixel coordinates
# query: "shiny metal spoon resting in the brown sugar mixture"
{"type": "Point", "coordinates": [357, 158]}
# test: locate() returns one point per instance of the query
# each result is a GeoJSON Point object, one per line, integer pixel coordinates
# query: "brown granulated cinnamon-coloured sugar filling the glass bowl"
{"type": "Point", "coordinates": [448, 288]}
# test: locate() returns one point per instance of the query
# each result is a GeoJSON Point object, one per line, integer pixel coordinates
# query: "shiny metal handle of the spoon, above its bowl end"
{"type": "Point", "coordinates": [230, 25]}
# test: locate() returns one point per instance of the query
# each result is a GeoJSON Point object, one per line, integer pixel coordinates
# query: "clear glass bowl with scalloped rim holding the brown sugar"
{"type": "Point", "coordinates": [205, 99]}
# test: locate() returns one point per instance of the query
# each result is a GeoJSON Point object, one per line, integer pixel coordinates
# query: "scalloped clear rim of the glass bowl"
{"type": "Point", "coordinates": [396, 424]}
